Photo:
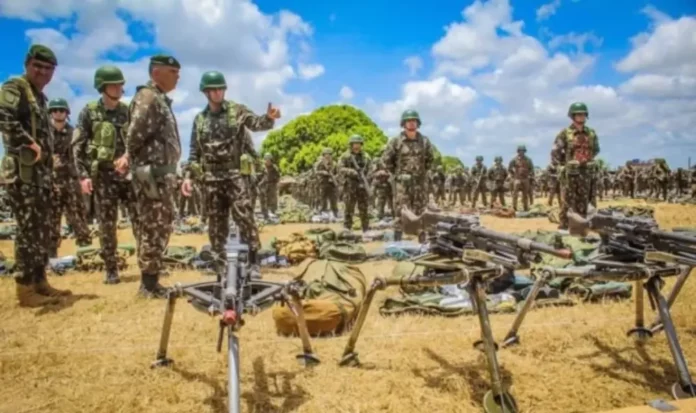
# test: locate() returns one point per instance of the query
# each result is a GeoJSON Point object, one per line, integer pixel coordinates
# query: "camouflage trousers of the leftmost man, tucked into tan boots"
{"type": "Point", "coordinates": [31, 206]}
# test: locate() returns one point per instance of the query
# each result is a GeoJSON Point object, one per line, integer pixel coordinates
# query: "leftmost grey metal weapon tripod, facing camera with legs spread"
{"type": "Point", "coordinates": [234, 294]}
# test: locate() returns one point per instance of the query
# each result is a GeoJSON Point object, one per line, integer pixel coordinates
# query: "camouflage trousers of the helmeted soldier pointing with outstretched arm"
{"type": "Point", "coordinates": [230, 197]}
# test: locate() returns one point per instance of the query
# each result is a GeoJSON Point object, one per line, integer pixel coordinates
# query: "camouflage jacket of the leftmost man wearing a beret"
{"type": "Point", "coordinates": [24, 120]}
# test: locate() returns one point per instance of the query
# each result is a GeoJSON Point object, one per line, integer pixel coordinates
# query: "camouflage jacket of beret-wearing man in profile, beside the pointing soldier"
{"type": "Point", "coordinates": [153, 135]}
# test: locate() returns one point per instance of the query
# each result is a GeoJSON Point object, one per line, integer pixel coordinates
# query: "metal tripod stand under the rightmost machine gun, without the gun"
{"type": "Point", "coordinates": [646, 279]}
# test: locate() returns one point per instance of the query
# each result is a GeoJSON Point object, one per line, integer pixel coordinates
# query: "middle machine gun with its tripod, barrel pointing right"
{"type": "Point", "coordinates": [461, 252]}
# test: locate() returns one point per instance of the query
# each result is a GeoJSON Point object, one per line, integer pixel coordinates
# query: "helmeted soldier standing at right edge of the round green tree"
{"type": "Point", "coordinates": [408, 157]}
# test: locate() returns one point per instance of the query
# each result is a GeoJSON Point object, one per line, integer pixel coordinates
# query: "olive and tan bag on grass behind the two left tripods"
{"type": "Point", "coordinates": [331, 301]}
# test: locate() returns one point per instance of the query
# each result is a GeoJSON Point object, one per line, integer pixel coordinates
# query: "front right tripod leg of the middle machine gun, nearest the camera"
{"type": "Point", "coordinates": [496, 400]}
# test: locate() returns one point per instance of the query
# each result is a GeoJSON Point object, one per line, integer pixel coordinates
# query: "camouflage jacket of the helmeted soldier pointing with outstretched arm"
{"type": "Point", "coordinates": [218, 139]}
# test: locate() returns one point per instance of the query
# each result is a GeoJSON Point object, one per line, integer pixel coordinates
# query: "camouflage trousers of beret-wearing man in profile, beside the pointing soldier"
{"type": "Point", "coordinates": [156, 217]}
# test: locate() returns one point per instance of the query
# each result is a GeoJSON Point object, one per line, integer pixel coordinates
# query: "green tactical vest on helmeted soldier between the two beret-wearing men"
{"type": "Point", "coordinates": [102, 146]}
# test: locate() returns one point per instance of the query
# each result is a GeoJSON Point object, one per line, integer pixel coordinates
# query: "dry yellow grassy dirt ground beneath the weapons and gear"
{"type": "Point", "coordinates": [93, 354]}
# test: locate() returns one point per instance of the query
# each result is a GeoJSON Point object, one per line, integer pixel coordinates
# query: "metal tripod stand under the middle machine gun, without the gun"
{"type": "Point", "coordinates": [496, 400]}
